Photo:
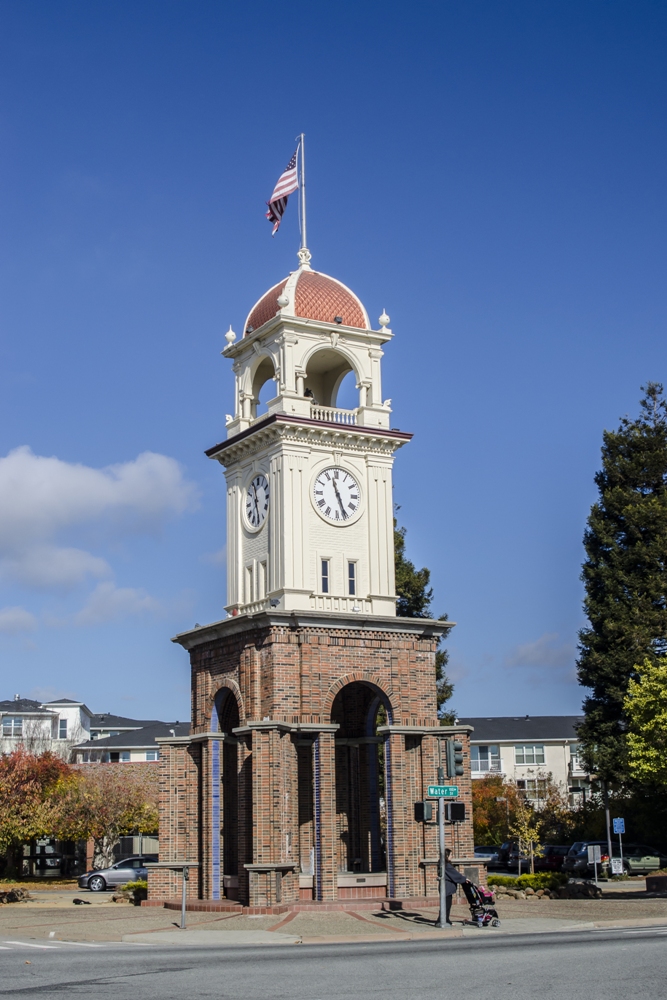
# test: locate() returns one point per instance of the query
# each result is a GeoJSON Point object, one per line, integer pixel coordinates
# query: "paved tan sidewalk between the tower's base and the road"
{"type": "Point", "coordinates": [53, 916]}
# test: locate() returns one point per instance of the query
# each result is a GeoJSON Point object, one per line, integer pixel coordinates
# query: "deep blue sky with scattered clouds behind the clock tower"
{"type": "Point", "coordinates": [493, 174]}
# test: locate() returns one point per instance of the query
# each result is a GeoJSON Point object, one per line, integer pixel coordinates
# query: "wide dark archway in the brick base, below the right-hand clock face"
{"type": "Point", "coordinates": [358, 709]}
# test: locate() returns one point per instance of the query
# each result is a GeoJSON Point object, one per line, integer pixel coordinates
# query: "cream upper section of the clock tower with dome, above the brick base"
{"type": "Point", "coordinates": [309, 493]}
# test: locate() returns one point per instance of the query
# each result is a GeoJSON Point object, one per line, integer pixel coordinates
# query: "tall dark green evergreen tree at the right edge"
{"type": "Point", "coordinates": [625, 579]}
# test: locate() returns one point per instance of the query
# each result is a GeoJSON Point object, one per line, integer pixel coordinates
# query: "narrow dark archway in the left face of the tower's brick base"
{"type": "Point", "coordinates": [227, 712]}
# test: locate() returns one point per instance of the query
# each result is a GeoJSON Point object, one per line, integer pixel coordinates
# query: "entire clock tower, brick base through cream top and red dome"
{"type": "Point", "coordinates": [314, 717]}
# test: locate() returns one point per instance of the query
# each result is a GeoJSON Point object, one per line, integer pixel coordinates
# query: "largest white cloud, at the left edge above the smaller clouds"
{"type": "Point", "coordinates": [42, 499]}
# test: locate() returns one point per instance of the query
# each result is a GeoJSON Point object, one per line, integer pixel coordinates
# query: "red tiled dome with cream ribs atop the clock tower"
{"type": "Point", "coordinates": [309, 295]}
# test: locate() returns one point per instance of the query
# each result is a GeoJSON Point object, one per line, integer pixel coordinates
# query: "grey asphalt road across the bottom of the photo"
{"type": "Point", "coordinates": [594, 965]}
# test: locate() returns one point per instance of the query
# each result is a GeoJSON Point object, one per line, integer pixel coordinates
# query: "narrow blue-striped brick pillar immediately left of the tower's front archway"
{"type": "Point", "coordinates": [324, 790]}
